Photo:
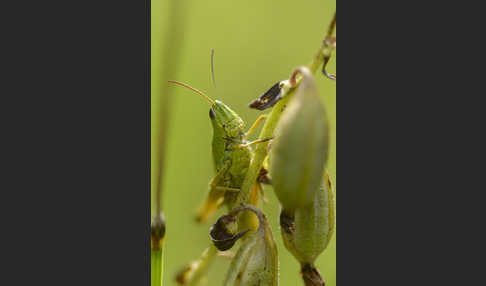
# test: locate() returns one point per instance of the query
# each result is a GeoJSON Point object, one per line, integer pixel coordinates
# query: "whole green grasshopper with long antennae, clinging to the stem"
{"type": "Point", "coordinates": [231, 152]}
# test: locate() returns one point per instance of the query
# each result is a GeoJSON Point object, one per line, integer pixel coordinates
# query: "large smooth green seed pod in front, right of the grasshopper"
{"type": "Point", "coordinates": [300, 148]}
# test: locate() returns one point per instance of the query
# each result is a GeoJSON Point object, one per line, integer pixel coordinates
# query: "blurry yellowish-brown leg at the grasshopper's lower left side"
{"type": "Point", "coordinates": [215, 197]}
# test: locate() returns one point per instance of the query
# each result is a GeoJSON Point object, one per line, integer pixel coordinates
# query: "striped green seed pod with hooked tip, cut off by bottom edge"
{"type": "Point", "coordinates": [256, 262]}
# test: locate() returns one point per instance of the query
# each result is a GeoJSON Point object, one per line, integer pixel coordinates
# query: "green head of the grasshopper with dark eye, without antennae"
{"type": "Point", "coordinates": [226, 120]}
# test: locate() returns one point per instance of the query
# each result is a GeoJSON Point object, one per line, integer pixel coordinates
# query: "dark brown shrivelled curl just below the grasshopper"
{"type": "Point", "coordinates": [222, 238]}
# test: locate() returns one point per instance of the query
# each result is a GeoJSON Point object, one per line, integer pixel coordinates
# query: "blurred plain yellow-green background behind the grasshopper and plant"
{"type": "Point", "coordinates": [257, 43]}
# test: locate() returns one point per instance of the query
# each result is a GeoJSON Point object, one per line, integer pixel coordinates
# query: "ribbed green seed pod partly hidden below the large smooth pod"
{"type": "Point", "coordinates": [307, 231]}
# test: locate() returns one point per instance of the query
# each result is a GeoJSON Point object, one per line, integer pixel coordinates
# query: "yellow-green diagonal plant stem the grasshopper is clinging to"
{"type": "Point", "coordinates": [274, 116]}
